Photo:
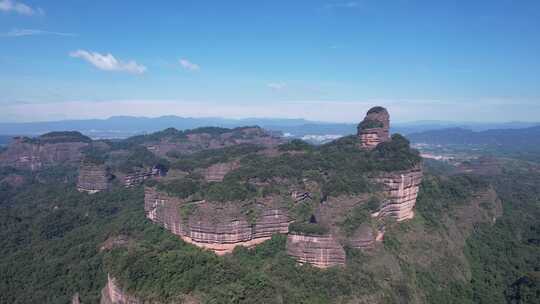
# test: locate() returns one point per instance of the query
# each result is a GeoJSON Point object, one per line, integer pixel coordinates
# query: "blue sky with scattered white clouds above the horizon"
{"type": "Point", "coordinates": [324, 60]}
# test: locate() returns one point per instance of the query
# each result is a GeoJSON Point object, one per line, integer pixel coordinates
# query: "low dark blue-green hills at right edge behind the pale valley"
{"type": "Point", "coordinates": [517, 138]}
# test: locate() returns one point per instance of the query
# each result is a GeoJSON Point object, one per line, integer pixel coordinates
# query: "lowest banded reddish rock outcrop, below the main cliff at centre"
{"type": "Point", "coordinates": [320, 251]}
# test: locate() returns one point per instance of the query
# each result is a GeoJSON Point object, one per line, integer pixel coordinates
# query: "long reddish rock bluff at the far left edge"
{"type": "Point", "coordinates": [33, 155]}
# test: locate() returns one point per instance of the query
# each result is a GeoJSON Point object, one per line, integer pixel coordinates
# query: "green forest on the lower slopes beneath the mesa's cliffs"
{"type": "Point", "coordinates": [51, 237]}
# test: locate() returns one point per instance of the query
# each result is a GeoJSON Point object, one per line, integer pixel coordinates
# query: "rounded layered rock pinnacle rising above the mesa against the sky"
{"type": "Point", "coordinates": [374, 129]}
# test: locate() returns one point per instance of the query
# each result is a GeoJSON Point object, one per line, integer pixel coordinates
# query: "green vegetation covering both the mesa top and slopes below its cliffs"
{"type": "Point", "coordinates": [56, 242]}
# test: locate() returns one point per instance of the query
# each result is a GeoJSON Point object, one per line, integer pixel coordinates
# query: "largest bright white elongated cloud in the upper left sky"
{"type": "Point", "coordinates": [108, 62]}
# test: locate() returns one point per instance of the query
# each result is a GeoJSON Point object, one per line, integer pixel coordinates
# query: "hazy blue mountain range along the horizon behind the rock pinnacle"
{"type": "Point", "coordinates": [125, 126]}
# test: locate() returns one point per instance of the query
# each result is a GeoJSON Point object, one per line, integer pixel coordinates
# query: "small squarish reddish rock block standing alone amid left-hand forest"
{"type": "Point", "coordinates": [93, 178]}
